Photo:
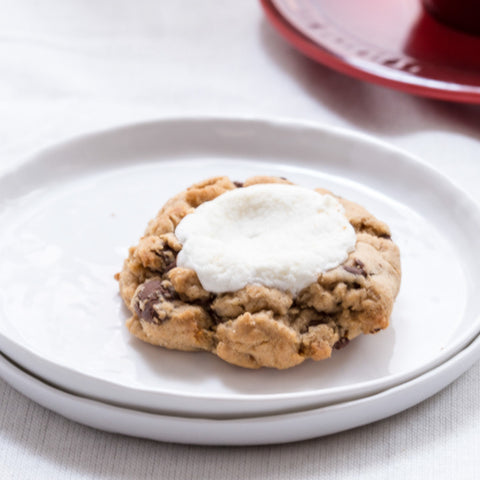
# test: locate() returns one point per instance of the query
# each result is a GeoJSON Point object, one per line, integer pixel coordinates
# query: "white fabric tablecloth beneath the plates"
{"type": "Point", "coordinates": [68, 67]}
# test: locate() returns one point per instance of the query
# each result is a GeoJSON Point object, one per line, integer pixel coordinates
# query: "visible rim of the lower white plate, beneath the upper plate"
{"type": "Point", "coordinates": [29, 385]}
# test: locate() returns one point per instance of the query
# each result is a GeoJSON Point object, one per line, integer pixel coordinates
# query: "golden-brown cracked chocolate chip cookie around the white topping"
{"type": "Point", "coordinates": [257, 326]}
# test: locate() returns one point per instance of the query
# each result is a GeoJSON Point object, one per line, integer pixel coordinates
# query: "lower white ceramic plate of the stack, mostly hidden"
{"type": "Point", "coordinates": [247, 431]}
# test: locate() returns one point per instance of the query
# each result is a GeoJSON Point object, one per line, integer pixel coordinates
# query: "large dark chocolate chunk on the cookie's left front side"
{"type": "Point", "coordinates": [152, 292]}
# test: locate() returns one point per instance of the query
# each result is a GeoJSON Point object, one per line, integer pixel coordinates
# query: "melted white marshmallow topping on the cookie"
{"type": "Point", "coordinates": [276, 235]}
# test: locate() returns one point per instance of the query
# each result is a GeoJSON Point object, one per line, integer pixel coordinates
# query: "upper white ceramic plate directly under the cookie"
{"type": "Point", "coordinates": [69, 213]}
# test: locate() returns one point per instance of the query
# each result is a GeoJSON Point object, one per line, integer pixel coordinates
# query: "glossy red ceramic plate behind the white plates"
{"type": "Point", "coordinates": [389, 42]}
